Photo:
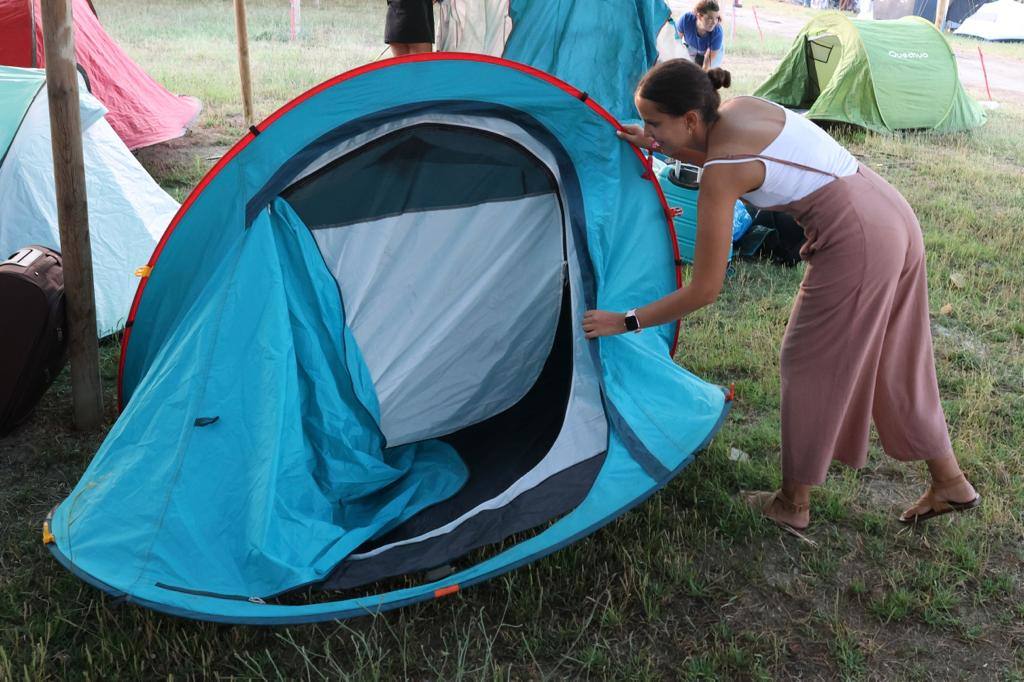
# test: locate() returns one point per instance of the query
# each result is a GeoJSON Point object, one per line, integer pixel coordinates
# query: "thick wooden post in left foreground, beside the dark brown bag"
{"type": "Point", "coordinates": [73, 215]}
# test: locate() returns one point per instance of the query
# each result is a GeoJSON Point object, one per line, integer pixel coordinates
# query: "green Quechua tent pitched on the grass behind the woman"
{"type": "Point", "coordinates": [884, 76]}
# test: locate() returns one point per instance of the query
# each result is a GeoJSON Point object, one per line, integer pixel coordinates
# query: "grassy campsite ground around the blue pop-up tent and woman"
{"type": "Point", "coordinates": [691, 585]}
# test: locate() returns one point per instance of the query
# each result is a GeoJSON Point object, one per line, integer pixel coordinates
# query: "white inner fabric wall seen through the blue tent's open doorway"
{"type": "Point", "coordinates": [455, 311]}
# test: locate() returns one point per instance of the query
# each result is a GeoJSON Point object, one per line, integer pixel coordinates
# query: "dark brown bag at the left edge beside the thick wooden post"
{"type": "Point", "coordinates": [33, 344]}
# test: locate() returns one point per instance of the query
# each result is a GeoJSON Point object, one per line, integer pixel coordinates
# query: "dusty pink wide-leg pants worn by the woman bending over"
{"type": "Point", "coordinates": [859, 345]}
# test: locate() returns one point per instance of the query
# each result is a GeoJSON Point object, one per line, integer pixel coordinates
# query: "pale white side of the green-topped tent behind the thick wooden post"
{"type": "Point", "coordinates": [129, 211]}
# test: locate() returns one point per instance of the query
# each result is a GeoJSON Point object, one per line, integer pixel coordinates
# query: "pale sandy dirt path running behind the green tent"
{"type": "Point", "coordinates": [1006, 76]}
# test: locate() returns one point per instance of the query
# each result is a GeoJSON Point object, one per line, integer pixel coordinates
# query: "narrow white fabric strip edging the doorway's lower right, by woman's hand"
{"type": "Point", "coordinates": [584, 434]}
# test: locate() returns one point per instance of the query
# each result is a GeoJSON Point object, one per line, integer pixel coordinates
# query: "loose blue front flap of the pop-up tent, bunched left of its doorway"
{"type": "Point", "coordinates": [287, 477]}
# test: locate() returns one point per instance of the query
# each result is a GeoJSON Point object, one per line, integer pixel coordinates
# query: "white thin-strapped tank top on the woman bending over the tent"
{"type": "Point", "coordinates": [819, 159]}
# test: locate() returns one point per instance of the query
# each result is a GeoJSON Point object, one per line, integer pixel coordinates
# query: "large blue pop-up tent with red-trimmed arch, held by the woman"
{"type": "Point", "coordinates": [359, 354]}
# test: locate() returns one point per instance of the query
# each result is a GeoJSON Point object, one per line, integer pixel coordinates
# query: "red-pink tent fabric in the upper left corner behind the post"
{"type": "Point", "coordinates": [140, 109]}
